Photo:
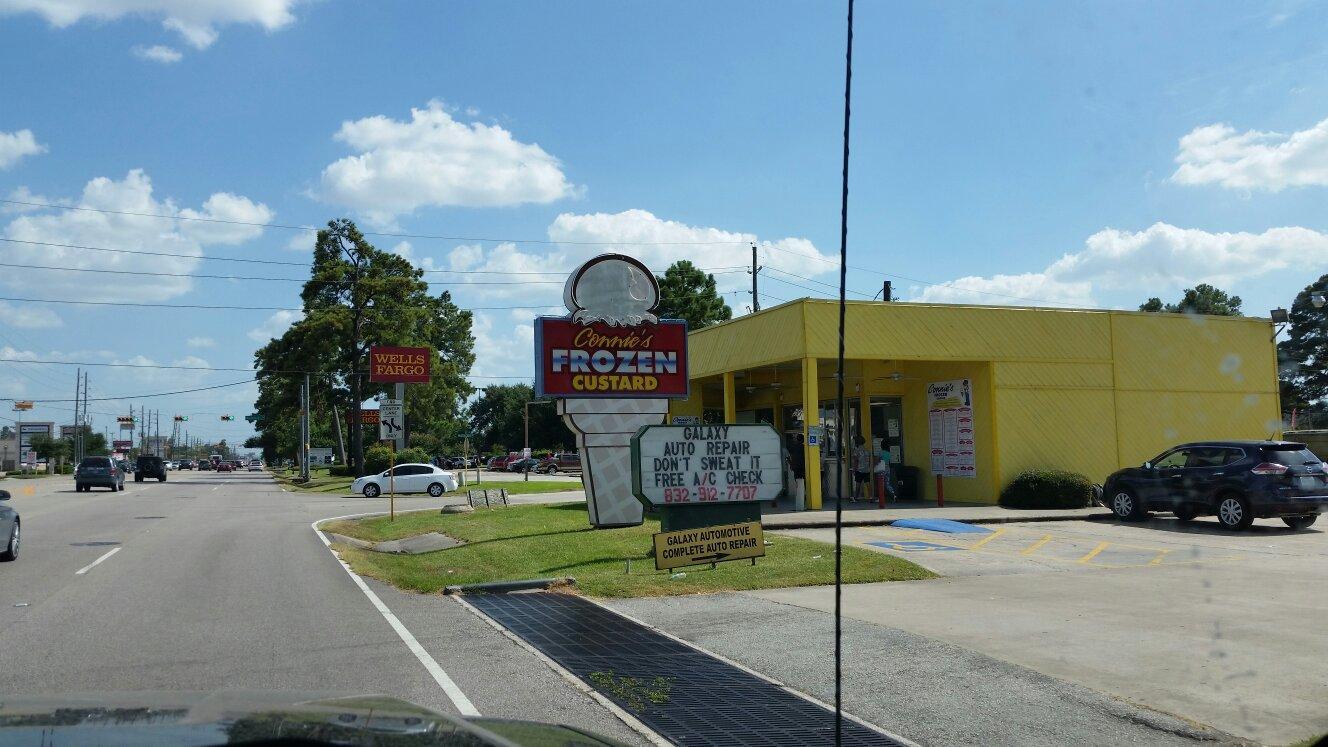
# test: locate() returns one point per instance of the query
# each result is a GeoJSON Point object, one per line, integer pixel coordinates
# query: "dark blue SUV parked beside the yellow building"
{"type": "Point", "coordinates": [1237, 482]}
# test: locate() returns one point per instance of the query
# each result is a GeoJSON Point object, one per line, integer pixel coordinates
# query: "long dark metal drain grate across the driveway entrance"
{"type": "Point", "coordinates": [687, 697]}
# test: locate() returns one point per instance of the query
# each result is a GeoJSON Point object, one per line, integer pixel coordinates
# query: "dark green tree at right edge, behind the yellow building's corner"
{"type": "Point", "coordinates": [1302, 358]}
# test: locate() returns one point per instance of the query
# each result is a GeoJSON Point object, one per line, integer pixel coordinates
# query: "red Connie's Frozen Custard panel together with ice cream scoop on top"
{"type": "Point", "coordinates": [613, 345]}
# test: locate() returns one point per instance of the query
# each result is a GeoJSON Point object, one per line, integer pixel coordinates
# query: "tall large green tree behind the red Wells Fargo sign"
{"type": "Point", "coordinates": [359, 297]}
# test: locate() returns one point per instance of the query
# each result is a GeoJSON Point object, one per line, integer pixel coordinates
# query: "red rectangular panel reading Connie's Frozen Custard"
{"type": "Point", "coordinates": [600, 361]}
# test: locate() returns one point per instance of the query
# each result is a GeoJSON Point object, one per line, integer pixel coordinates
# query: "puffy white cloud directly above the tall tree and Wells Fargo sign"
{"type": "Point", "coordinates": [434, 160]}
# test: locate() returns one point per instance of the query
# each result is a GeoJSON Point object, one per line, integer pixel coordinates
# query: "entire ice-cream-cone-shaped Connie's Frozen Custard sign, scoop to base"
{"type": "Point", "coordinates": [614, 366]}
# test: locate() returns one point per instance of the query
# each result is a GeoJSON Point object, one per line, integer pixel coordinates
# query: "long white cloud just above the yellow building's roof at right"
{"type": "Point", "coordinates": [1159, 260]}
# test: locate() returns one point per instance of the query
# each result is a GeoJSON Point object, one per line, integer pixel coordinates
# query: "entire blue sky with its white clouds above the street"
{"type": "Point", "coordinates": [1051, 154]}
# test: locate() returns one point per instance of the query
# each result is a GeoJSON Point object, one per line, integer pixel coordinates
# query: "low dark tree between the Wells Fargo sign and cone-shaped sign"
{"type": "Point", "coordinates": [499, 419]}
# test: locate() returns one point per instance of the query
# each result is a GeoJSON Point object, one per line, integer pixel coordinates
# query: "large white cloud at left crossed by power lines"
{"type": "Point", "coordinates": [132, 195]}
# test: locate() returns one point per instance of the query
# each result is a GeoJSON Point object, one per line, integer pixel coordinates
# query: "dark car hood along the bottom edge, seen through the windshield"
{"type": "Point", "coordinates": [254, 718]}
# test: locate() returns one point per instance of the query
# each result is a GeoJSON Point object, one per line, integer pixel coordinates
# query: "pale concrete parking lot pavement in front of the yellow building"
{"type": "Point", "coordinates": [1214, 627]}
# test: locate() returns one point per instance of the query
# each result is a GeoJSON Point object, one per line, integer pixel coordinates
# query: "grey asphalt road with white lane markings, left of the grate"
{"type": "Point", "coordinates": [218, 583]}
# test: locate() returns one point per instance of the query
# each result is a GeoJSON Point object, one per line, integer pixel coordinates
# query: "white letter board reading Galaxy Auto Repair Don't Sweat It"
{"type": "Point", "coordinates": [707, 465]}
